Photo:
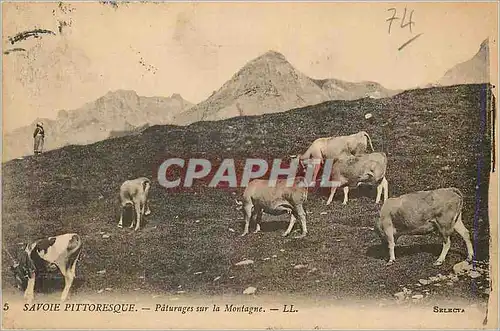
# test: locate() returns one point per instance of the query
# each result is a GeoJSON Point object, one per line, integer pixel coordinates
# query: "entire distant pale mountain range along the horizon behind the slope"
{"type": "Point", "coordinates": [266, 84]}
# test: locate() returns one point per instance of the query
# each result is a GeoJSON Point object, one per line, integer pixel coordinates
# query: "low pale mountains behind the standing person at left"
{"type": "Point", "coordinates": [116, 111]}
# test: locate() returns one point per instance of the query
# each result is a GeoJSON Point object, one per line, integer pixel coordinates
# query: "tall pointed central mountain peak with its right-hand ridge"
{"type": "Point", "coordinates": [270, 84]}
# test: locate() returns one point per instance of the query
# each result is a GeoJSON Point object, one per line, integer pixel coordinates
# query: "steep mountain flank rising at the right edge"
{"type": "Point", "coordinates": [473, 71]}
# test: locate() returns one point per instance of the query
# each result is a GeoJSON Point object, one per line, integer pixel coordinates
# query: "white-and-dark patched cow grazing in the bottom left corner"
{"type": "Point", "coordinates": [62, 251]}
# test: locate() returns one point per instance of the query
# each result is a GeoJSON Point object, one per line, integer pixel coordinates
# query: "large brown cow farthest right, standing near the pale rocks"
{"type": "Point", "coordinates": [424, 212]}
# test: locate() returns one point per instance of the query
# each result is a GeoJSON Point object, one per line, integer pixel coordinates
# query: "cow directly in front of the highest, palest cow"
{"type": "Point", "coordinates": [365, 169]}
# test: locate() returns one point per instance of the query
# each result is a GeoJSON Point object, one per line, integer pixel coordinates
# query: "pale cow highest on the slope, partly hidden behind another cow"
{"type": "Point", "coordinates": [334, 147]}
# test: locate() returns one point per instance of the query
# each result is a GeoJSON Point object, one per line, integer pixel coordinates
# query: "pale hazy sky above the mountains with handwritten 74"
{"type": "Point", "coordinates": [193, 48]}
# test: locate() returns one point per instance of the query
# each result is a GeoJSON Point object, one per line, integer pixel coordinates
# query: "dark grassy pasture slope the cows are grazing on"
{"type": "Point", "coordinates": [75, 189]}
